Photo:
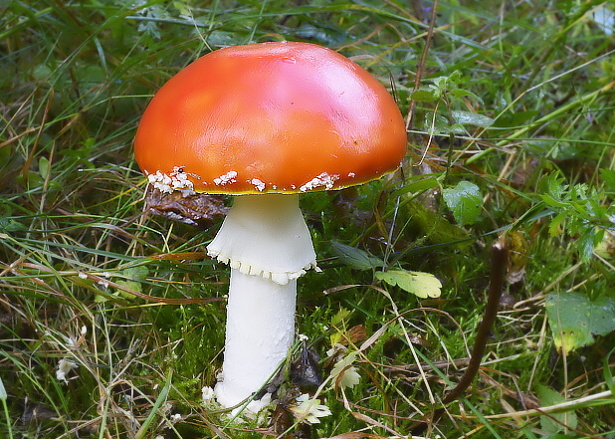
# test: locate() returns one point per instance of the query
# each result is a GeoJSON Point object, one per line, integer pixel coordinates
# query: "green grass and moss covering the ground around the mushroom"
{"type": "Point", "coordinates": [515, 103]}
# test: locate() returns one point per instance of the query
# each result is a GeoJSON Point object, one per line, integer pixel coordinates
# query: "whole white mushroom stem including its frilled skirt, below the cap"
{"type": "Point", "coordinates": [266, 242]}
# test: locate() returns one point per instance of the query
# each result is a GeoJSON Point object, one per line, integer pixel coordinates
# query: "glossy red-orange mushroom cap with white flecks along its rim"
{"type": "Point", "coordinates": [270, 117]}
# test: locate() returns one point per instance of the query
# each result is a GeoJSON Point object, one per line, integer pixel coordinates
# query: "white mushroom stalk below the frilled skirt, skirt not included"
{"type": "Point", "coordinates": [259, 332]}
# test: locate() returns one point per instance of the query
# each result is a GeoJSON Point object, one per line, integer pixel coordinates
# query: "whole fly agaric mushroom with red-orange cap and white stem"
{"type": "Point", "coordinates": [267, 122]}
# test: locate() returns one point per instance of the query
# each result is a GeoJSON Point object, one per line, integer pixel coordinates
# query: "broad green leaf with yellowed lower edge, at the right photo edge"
{"type": "Point", "coordinates": [575, 319]}
